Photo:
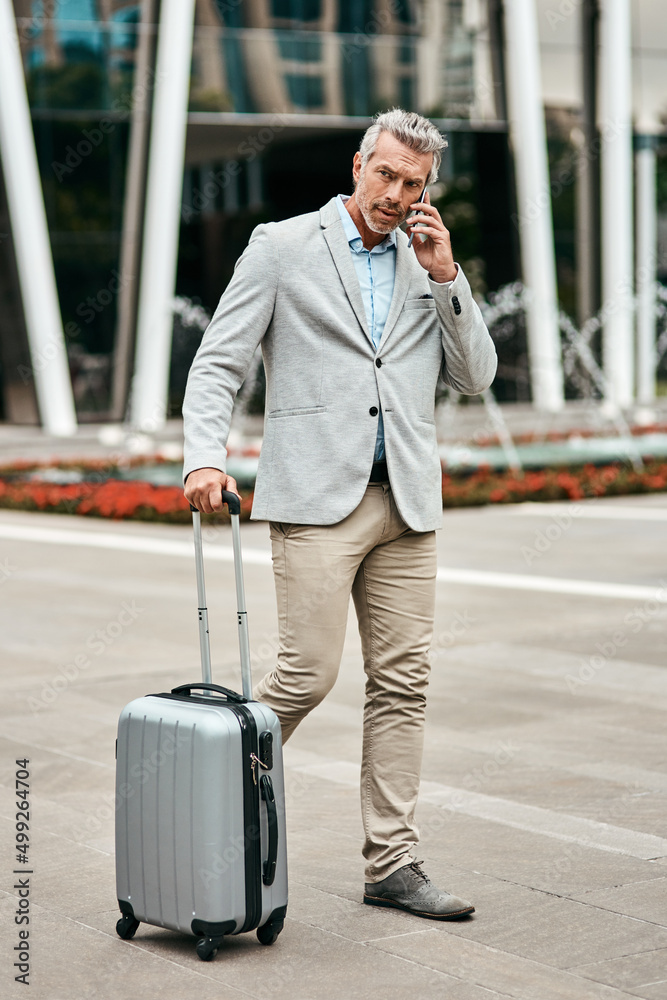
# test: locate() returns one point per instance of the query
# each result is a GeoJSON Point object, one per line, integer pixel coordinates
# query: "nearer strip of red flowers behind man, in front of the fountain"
{"type": "Point", "coordinates": [98, 496]}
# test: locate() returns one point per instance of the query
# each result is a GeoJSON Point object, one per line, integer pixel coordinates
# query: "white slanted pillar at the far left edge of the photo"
{"type": "Point", "coordinates": [30, 233]}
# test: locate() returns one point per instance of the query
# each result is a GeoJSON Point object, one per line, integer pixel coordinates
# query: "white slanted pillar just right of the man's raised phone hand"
{"type": "Point", "coordinates": [534, 221]}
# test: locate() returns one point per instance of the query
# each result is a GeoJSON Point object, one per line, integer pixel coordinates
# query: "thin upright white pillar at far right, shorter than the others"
{"type": "Point", "coordinates": [646, 273]}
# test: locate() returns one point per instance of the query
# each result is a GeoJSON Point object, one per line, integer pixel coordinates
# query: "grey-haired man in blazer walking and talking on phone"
{"type": "Point", "coordinates": [355, 328]}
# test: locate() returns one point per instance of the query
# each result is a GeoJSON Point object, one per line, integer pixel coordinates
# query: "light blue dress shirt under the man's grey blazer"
{"type": "Point", "coordinates": [376, 270]}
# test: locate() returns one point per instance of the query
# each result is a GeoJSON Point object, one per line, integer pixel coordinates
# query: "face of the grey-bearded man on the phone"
{"type": "Point", "coordinates": [391, 181]}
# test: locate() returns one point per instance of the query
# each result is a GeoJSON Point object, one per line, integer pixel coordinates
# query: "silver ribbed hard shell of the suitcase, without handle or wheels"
{"type": "Point", "coordinates": [183, 854]}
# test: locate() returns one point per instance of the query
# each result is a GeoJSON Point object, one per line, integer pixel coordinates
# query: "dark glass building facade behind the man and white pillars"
{"type": "Point", "coordinates": [280, 93]}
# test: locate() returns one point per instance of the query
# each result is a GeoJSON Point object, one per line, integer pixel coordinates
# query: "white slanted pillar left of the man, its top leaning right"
{"type": "Point", "coordinates": [163, 211]}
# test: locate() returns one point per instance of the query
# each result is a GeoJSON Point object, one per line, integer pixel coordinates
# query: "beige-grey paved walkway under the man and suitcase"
{"type": "Point", "coordinates": [545, 776]}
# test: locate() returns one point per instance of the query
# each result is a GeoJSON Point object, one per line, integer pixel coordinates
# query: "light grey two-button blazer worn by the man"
{"type": "Point", "coordinates": [296, 291]}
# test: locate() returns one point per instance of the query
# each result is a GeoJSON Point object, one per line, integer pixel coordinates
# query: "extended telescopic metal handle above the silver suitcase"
{"type": "Point", "coordinates": [234, 504]}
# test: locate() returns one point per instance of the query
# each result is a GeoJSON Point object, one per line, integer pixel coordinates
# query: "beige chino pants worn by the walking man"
{"type": "Point", "coordinates": [390, 572]}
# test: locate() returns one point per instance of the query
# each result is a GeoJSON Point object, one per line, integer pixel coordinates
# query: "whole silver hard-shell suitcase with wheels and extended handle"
{"type": "Point", "coordinates": [200, 820]}
